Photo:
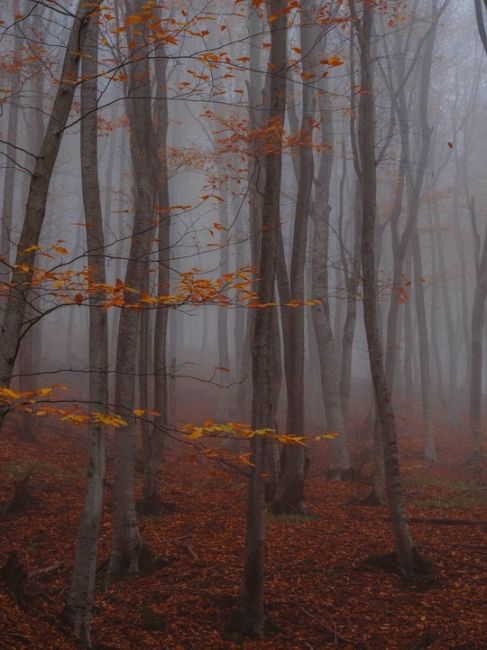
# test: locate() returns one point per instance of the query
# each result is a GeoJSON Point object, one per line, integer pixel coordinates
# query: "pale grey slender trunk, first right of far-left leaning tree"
{"type": "Point", "coordinates": [80, 597]}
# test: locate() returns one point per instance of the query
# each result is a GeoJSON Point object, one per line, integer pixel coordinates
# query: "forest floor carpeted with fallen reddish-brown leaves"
{"type": "Point", "coordinates": [322, 591]}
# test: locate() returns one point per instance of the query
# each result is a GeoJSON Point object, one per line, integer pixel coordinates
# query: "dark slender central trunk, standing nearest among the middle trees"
{"type": "Point", "coordinates": [263, 394]}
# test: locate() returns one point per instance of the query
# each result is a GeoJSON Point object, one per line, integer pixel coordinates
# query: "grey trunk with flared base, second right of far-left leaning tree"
{"type": "Point", "coordinates": [127, 547]}
